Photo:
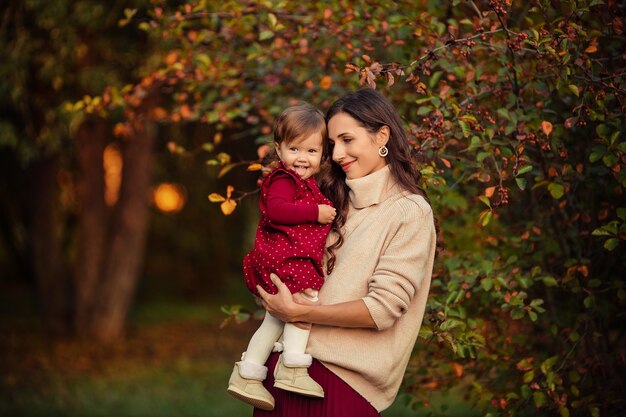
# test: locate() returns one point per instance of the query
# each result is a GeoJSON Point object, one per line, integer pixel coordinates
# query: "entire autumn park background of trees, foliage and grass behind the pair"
{"type": "Point", "coordinates": [133, 135]}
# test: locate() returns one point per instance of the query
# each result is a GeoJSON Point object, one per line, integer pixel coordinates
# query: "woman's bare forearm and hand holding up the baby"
{"type": "Point", "coordinates": [282, 306]}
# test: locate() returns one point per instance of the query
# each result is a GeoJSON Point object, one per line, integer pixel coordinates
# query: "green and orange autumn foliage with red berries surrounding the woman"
{"type": "Point", "coordinates": [517, 114]}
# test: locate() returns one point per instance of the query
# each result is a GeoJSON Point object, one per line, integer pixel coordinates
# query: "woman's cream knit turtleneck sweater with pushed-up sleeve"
{"type": "Point", "coordinates": [386, 260]}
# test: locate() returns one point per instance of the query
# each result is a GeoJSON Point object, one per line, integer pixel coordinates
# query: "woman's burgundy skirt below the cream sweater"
{"type": "Point", "coordinates": [339, 400]}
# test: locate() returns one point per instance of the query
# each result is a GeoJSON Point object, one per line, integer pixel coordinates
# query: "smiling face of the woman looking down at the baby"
{"type": "Point", "coordinates": [354, 148]}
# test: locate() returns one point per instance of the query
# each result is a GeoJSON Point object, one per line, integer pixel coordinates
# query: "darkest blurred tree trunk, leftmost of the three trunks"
{"type": "Point", "coordinates": [44, 226]}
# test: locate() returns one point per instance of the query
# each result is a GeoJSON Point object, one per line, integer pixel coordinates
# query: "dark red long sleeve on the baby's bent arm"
{"type": "Point", "coordinates": [281, 208]}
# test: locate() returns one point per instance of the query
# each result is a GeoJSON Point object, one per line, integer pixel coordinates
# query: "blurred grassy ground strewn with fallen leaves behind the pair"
{"type": "Point", "coordinates": [174, 362]}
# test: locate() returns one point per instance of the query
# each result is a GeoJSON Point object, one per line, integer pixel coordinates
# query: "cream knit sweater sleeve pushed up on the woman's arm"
{"type": "Point", "coordinates": [402, 265]}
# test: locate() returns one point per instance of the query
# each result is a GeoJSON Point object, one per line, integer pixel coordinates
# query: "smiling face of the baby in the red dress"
{"type": "Point", "coordinates": [303, 155]}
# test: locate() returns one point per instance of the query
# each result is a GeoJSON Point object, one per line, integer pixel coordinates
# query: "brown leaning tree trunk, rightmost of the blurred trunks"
{"type": "Point", "coordinates": [128, 232]}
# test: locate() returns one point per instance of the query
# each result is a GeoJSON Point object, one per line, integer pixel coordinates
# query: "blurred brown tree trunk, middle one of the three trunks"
{"type": "Point", "coordinates": [91, 141]}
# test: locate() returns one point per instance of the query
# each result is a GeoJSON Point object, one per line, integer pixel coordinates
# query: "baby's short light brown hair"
{"type": "Point", "coordinates": [299, 121]}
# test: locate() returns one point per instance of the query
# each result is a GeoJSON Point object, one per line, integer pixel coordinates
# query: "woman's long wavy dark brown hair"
{"type": "Point", "coordinates": [372, 111]}
